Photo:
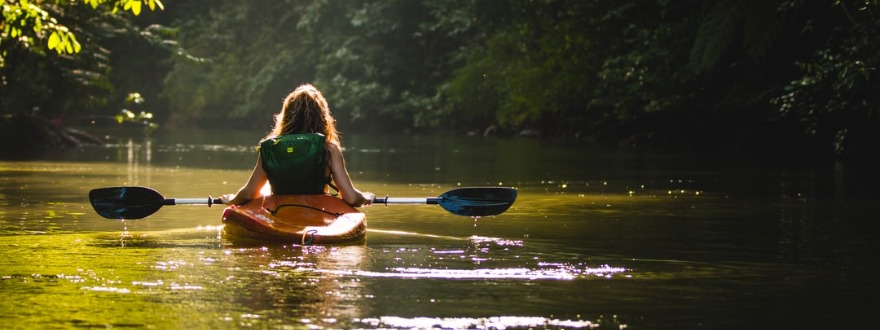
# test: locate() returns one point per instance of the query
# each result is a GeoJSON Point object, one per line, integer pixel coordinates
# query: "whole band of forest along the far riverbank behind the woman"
{"type": "Point", "coordinates": [777, 76]}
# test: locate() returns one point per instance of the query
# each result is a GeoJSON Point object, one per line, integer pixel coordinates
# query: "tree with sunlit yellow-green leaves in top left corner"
{"type": "Point", "coordinates": [51, 56]}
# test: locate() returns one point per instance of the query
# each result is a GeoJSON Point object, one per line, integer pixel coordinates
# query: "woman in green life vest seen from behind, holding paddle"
{"type": "Point", "coordinates": [302, 154]}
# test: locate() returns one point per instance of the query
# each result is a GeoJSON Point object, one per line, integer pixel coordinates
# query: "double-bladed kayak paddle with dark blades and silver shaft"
{"type": "Point", "coordinates": [140, 202]}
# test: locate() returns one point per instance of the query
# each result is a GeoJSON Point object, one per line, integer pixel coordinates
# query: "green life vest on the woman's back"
{"type": "Point", "coordinates": [295, 163]}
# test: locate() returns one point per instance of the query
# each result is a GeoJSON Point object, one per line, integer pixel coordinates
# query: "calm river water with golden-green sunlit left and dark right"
{"type": "Point", "coordinates": [598, 238]}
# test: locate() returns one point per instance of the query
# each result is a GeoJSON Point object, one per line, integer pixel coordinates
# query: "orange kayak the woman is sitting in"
{"type": "Point", "coordinates": [301, 219]}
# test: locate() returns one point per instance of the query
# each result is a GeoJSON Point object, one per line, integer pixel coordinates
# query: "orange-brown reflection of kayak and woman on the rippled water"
{"type": "Point", "coordinates": [299, 284]}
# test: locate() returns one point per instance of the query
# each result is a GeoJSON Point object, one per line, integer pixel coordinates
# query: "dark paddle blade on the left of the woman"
{"type": "Point", "coordinates": [125, 202]}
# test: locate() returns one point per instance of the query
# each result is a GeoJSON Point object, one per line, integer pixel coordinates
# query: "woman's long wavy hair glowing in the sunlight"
{"type": "Point", "coordinates": [305, 111]}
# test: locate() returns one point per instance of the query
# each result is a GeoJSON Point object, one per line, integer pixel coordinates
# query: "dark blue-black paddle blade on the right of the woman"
{"type": "Point", "coordinates": [478, 201]}
